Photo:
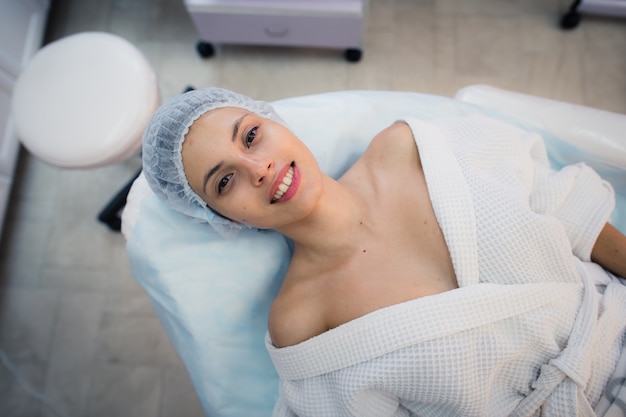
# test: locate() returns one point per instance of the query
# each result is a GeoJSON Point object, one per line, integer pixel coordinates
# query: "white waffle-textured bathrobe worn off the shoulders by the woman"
{"type": "Point", "coordinates": [534, 328]}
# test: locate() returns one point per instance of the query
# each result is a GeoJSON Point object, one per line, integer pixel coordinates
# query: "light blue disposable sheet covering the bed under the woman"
{"type": "Point", "coordinates": [213, 295]}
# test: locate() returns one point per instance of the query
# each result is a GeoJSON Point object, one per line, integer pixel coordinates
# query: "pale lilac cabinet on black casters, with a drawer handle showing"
{"type": "Point", "coordinates": [308, 23]}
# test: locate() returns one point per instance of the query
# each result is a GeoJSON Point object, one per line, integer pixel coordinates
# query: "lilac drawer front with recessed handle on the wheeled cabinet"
{"type": "Point", "coordinates": [313, 31]}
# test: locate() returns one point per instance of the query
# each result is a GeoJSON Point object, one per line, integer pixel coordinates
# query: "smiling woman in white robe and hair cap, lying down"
{"type": "Point", "coordinates": [429, 250]}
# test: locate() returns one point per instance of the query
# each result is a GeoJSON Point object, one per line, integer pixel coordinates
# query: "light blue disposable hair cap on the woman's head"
{"type": "Point", "coordinates": [162, 150]}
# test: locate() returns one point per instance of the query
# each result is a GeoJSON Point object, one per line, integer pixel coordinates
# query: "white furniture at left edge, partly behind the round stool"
{"type": "Point", "coordinates": [22, 24]}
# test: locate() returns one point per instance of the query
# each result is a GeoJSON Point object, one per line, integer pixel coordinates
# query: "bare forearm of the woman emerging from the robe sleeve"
{"type": "Point", "coordinates": [609, 250]}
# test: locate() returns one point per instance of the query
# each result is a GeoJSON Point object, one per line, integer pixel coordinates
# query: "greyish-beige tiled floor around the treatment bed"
{"type": "Point", "coordinates": [71, 317]}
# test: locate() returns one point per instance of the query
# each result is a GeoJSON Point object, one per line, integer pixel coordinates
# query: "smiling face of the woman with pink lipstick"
{"type": "Point", "coordinates": [250, 169]}
